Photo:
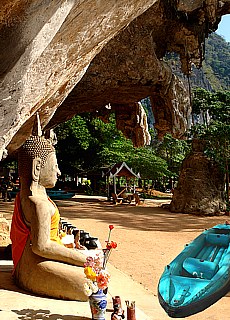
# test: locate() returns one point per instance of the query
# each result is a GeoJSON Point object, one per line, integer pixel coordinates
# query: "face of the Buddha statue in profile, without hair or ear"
{"type": "Point", "coordinates": [50, 172]}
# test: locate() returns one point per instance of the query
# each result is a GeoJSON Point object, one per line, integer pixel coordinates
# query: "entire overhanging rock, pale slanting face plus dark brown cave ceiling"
{"type": "Point", "coordinates": [68, 56]}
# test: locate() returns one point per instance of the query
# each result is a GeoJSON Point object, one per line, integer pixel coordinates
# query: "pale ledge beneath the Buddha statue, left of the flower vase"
{"type": "Point", "coordinates": [31, 306]}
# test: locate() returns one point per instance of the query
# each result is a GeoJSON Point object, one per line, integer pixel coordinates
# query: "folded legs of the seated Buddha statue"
{"type": "Point", "coordinates": [50, 278]}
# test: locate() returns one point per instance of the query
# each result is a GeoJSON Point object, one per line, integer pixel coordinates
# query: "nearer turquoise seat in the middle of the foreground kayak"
{"type": "Point", "coordinates": [198, 268]}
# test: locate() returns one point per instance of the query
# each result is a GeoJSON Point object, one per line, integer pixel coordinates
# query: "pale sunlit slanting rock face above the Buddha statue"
{"type": "Point", "coordinates": [47, 47]}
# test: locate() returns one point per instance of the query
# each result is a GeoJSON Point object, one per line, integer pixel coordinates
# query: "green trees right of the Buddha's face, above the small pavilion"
{"type": "Point", "coordinates": [85, 145]}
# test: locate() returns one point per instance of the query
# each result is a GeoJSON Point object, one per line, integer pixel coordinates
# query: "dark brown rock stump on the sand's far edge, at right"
{"type": "Point", "coordinates": [200, 188]}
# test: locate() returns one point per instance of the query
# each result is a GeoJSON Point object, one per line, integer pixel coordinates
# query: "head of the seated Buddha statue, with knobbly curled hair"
{"type": "Point", "coordinates": [37, 162]}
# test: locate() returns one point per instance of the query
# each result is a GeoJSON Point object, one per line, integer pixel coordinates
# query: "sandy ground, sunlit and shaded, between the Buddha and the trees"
{"type": "Point", "coordinates": [148, 238]}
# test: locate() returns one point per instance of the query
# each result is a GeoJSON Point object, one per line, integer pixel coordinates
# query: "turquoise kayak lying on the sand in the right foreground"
{"type": "Point", "coordinates": [199, 275]}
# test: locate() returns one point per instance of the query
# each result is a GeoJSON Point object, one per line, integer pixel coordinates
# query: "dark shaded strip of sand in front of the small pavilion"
{"type": "Point", "coordinates": [148, 217]}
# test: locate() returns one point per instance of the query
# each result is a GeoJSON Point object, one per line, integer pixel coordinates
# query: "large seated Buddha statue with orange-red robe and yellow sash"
{"type": "Point", "coordinates": [42, 264]}
